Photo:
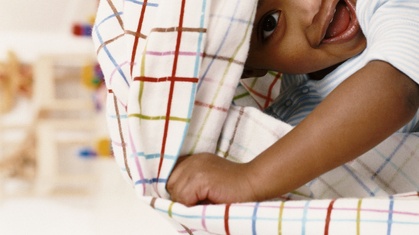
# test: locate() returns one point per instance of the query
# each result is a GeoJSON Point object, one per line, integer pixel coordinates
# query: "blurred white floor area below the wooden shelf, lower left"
{"type": "Point", "coordinates": [114, 210]}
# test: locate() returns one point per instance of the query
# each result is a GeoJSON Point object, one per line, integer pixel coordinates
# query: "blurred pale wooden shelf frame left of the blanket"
{"type": "Point", "coordinates": [66, 121]}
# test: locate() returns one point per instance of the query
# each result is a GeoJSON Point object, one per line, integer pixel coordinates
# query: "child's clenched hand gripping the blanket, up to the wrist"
{"type": "Point", "coordinates": [207, 178]}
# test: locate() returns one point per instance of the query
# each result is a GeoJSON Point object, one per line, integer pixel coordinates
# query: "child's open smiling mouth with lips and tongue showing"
{"type": "Point", "coordinates": [342, 24]}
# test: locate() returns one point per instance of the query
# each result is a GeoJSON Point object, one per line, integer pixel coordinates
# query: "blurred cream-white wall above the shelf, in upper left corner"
{"type": "Point", "coordinates": [34, 27]}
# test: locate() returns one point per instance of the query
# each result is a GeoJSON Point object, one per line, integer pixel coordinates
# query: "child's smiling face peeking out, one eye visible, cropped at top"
{"type": "Point", "coordinates": [296, 36]}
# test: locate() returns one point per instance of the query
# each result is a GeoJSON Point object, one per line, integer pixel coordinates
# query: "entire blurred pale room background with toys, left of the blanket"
{"type": "Point", "coordinates": [57, 175]}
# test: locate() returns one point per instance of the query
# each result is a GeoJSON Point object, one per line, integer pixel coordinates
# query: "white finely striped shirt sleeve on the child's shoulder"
{"type": "Point", "coordinates": [392, 31]}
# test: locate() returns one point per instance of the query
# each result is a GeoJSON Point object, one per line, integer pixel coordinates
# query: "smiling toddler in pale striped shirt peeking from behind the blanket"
{"type": "Point", "coordinates": [357, 62]}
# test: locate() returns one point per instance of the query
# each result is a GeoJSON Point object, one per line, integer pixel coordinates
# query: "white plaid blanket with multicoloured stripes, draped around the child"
{"type": "Point", "coordinates": [173, 70]}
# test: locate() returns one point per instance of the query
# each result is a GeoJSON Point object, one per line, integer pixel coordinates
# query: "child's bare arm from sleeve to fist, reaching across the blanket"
{"type": "Point", "coordinates": [360, 113]}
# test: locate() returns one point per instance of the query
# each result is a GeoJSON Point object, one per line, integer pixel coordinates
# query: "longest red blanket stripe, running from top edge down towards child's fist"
{"type": "Point", "coordinates": [172, 87]}
